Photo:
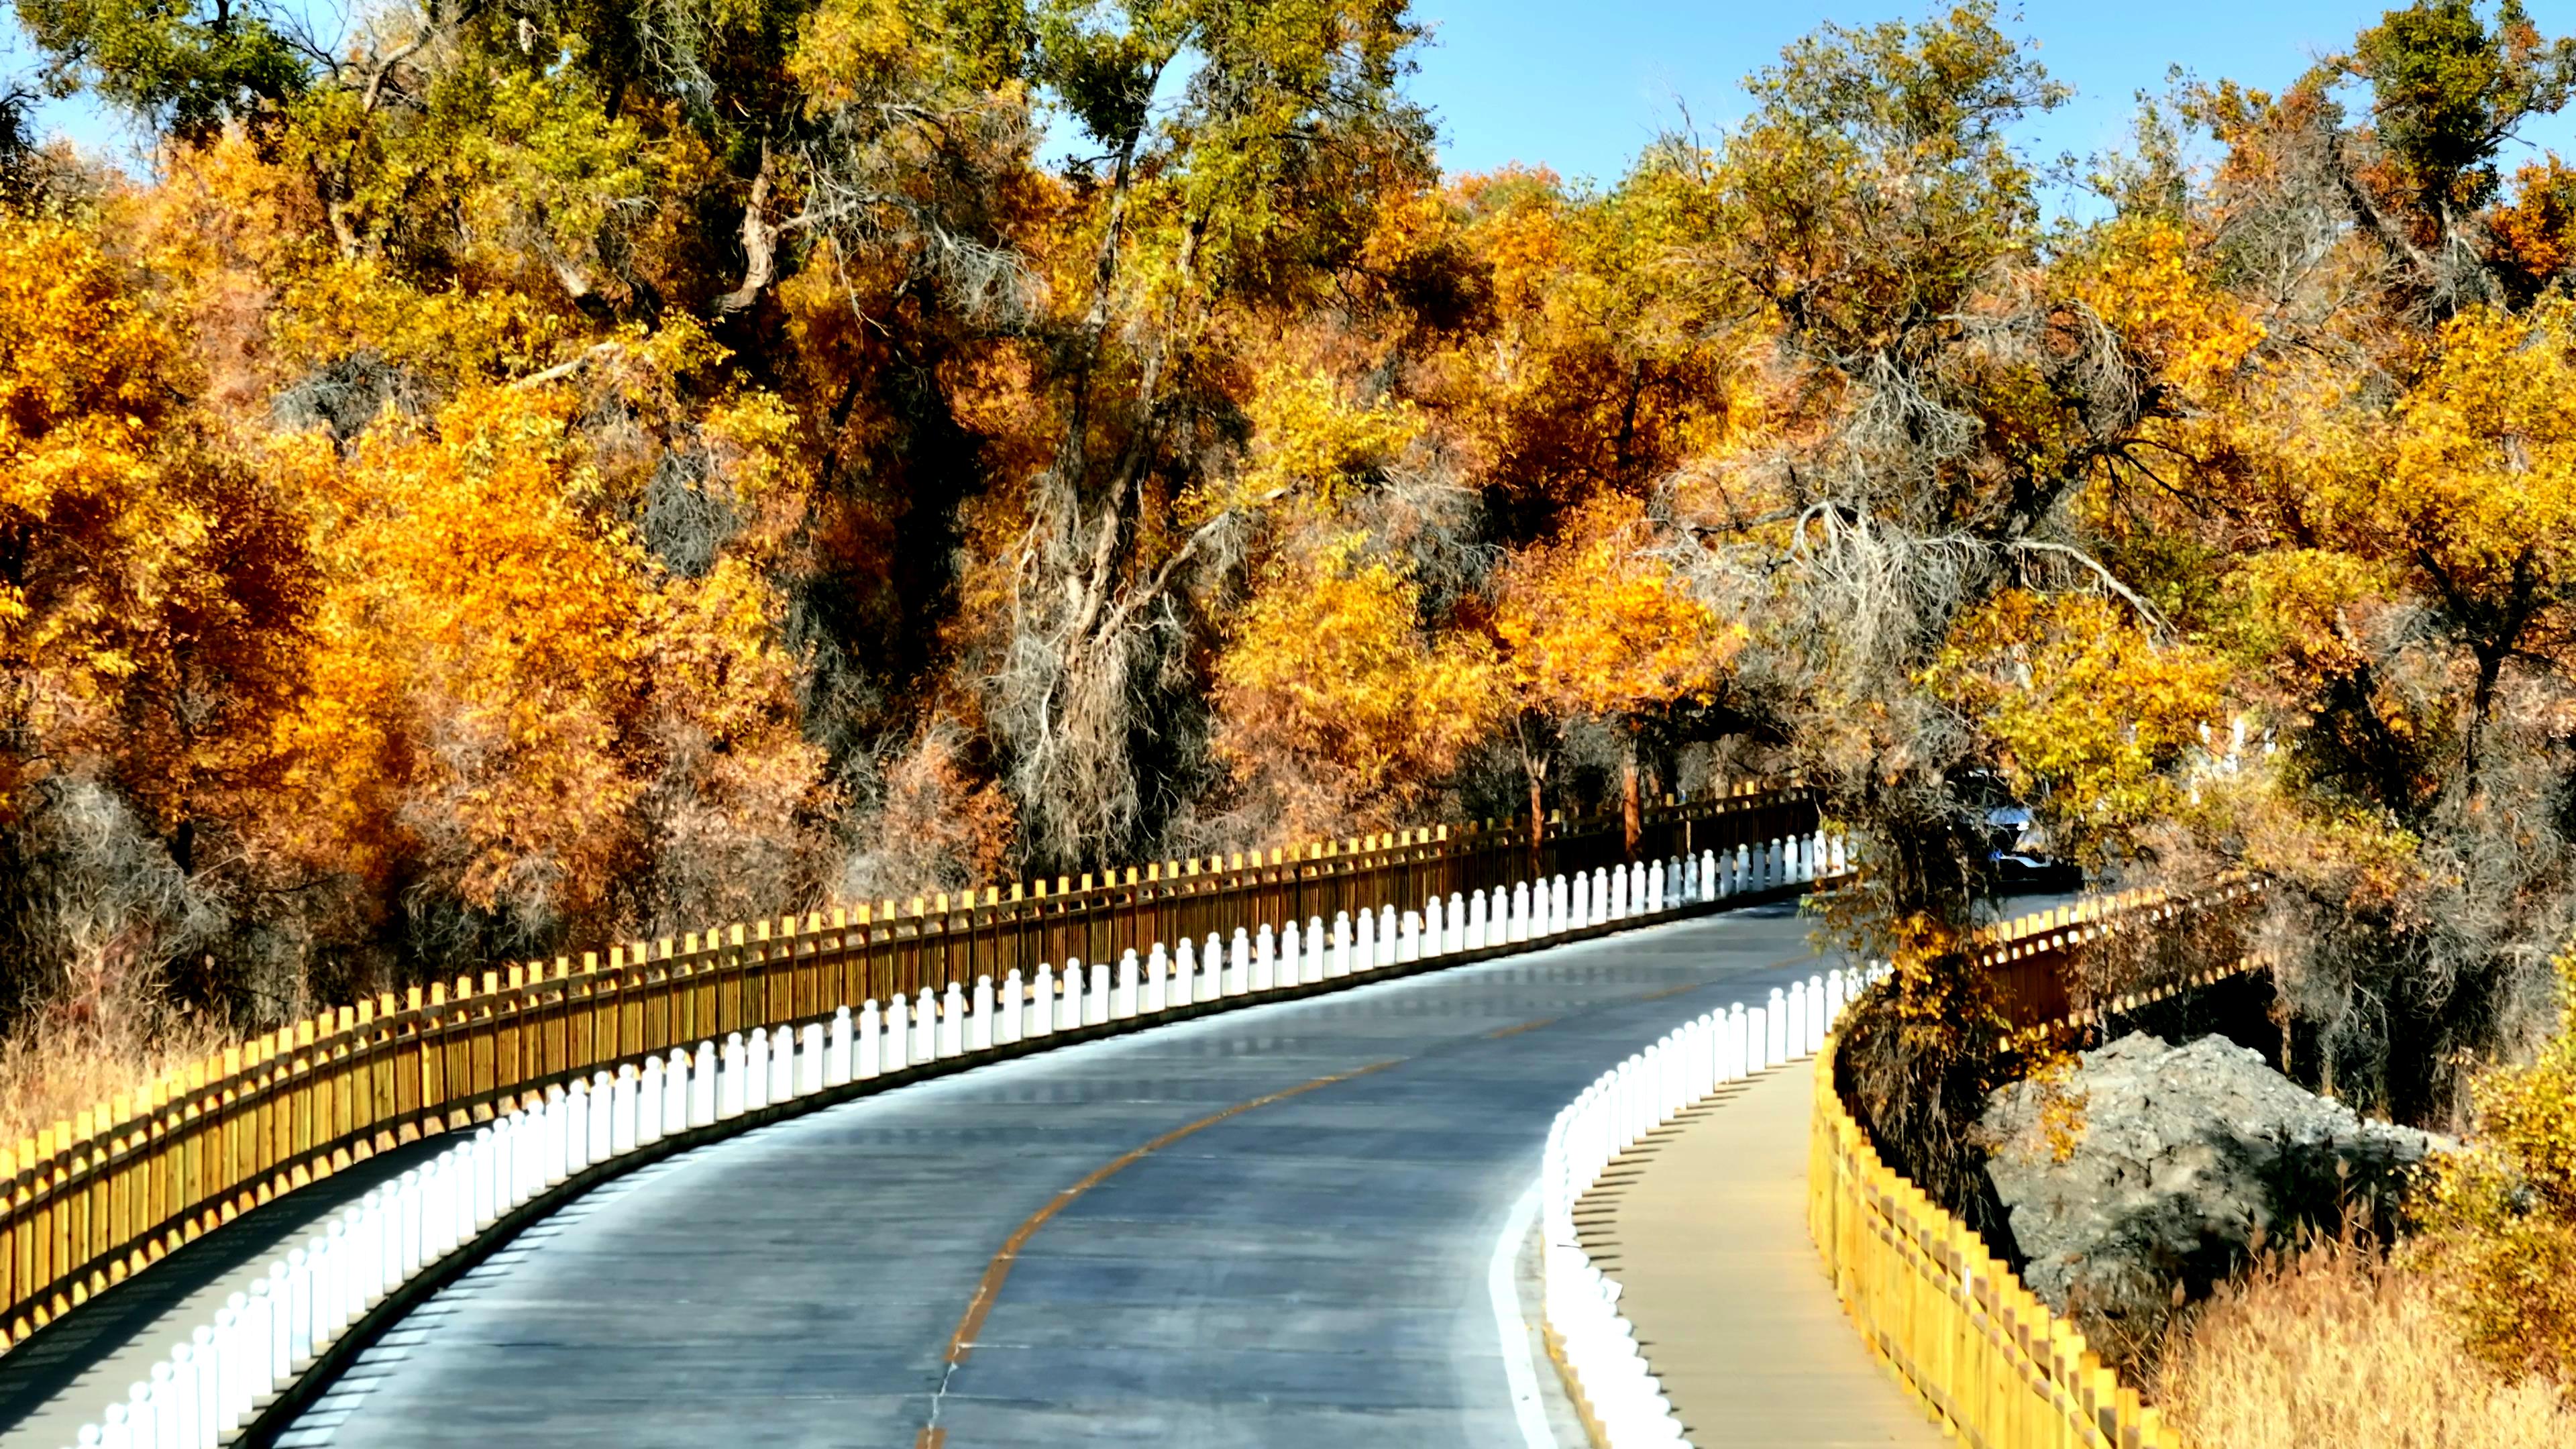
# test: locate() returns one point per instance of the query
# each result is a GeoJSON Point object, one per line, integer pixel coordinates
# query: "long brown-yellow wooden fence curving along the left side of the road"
{"type": "Point", "coordinates": [109, 1192]}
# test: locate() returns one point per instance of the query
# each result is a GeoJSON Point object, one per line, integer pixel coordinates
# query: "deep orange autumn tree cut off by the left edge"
{"type": "Point", "coordinates": [153, 605]}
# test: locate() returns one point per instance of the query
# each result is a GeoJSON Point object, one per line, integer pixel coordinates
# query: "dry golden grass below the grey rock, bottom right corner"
{"type": "Point", "coordinates": [2333, 1350]}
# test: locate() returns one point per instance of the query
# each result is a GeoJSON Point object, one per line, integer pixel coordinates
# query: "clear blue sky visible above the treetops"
{"type": "Point", "coordinates": [1583, 84]}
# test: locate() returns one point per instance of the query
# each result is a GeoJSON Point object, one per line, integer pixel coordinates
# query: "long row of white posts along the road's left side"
{"type": "Point", "coordinates": [272, 1334]}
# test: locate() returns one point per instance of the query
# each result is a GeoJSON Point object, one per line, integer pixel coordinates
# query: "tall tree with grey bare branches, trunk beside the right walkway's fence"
{"type": "Point", "coordinates": [1941, 404]}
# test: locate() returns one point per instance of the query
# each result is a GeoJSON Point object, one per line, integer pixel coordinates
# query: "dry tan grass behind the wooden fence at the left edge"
{"type": "Point", "coordinates": [81, 1053]}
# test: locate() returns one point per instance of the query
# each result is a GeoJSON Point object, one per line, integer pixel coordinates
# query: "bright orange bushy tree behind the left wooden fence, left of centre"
{"type": "Point", "coordinates": [522, 723]}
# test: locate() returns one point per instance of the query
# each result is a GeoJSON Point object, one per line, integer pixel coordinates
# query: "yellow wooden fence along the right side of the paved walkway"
{"type": "Point", "coordinates": [1993, 1363]}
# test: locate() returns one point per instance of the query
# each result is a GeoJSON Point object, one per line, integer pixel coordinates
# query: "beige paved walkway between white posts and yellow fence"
{"type": "Point", "coordinates": [1707, 1229]}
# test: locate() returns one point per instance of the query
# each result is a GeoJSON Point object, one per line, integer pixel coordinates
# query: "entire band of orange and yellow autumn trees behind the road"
{"type": "Point", "coordinates": [524, 476]}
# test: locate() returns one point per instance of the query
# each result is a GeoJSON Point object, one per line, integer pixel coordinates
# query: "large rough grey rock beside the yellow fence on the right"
{"type": "Point", "coordinates": [2150, 1172]}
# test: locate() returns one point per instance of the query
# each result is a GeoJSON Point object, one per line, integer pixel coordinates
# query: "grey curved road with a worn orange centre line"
{"type": "Point", "coordinates": [1266, 1229]}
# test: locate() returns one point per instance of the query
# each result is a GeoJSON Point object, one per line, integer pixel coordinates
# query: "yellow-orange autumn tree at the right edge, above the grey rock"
{"type": "Point", "coordinates": [2361, 514]}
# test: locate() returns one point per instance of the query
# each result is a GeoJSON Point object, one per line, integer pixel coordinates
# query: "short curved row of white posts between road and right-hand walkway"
{"type": "Point", "coordinates": [1622, 1107]}
